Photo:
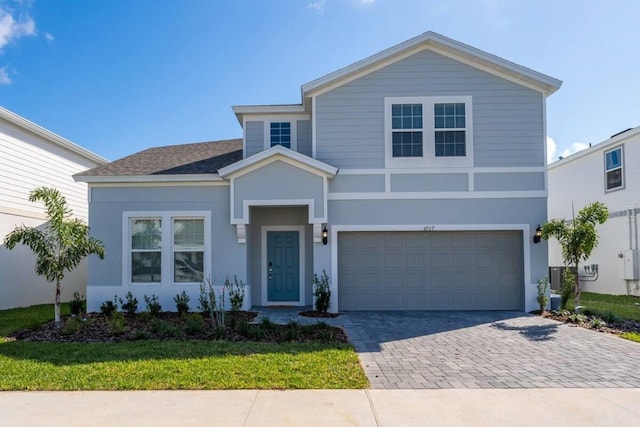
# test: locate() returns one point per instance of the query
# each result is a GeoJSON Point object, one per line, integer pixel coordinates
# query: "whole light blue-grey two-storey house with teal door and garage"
{"type": "Point", "coordinates": [415, 178]}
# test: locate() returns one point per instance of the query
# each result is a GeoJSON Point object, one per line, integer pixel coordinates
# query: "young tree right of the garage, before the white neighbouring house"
{"type": "Point", "coordinates": [577, 239]}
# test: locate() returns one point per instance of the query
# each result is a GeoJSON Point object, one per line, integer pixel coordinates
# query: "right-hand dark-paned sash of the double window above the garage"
{"type": "Point", "coordinates": [450, 130]}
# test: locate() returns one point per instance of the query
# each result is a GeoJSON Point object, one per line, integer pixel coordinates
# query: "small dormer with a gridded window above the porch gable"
{"type": "Point", "coordinates": [265, 126]}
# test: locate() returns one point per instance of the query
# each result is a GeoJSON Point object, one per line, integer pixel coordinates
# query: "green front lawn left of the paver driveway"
{"type": "Point", "coordinates": [155, 365]}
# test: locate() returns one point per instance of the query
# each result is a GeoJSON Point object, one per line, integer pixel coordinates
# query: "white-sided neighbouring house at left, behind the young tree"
{"type": "Point", "coordinates": [31, 157]}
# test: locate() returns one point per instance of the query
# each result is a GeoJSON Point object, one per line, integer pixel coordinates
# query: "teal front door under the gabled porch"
{"type": "Point", "coordinates": [283, 266]}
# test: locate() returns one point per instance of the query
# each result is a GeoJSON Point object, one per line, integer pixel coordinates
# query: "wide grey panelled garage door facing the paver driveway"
{"type": "Point", "coordinates": [470, 270]}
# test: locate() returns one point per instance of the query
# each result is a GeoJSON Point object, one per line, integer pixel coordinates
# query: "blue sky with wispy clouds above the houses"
{"type": "Point", "coordinates": [120, 76]}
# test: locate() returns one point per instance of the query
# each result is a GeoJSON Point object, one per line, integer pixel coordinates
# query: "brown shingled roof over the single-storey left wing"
{"type": "Point", "coordinates": [172, 160]}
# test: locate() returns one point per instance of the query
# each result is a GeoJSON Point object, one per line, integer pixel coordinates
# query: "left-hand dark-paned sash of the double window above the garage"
{"type": "Point", "coordinates": [406, 122]}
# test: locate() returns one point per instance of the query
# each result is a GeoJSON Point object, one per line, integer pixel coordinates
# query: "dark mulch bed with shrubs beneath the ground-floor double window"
{"type": "Point", "coordinates": [96, 328]}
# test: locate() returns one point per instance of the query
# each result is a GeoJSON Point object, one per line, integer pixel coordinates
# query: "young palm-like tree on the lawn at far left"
{"type": "Point", "coordinates": [60, 244]}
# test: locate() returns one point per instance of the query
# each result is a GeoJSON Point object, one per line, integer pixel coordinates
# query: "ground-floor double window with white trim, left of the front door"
{"type": "Point", "coordinates": [166, 247]}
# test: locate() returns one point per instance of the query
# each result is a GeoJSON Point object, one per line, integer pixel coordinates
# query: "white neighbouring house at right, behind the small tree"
{"type": "Point", "coordinates": [608, 172]}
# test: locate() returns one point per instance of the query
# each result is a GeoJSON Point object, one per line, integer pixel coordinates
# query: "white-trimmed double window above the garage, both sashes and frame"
{"type": "Point", "coordinates": [428, 132]}
